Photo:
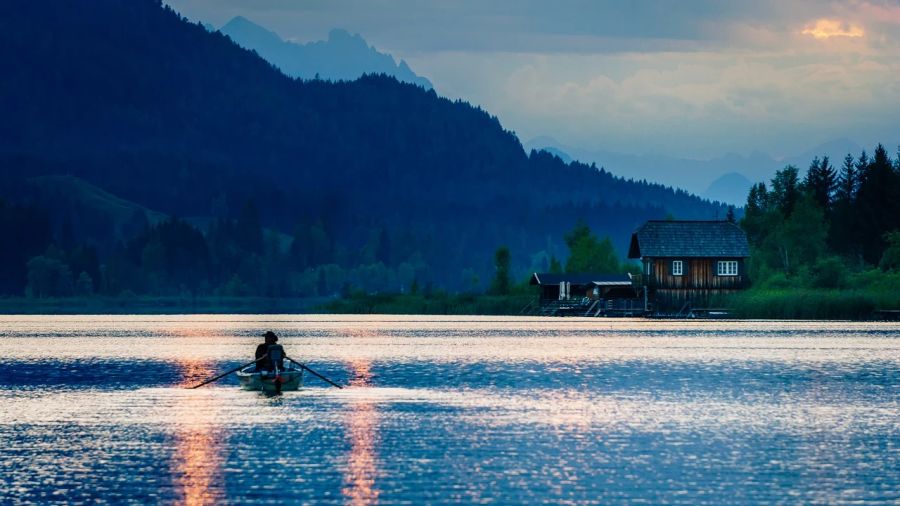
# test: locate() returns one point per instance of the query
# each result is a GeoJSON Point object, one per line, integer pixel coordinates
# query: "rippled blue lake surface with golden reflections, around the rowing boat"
{"type": "Point", "coordinates": [444, 409]}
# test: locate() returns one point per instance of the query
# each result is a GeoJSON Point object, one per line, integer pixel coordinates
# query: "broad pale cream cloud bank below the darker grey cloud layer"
{"type": "Point", "coordinates": [696, 104]}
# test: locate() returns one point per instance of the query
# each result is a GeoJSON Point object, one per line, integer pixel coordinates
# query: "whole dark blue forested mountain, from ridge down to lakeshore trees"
{"type": "Point", "coordinates": [149, 156]}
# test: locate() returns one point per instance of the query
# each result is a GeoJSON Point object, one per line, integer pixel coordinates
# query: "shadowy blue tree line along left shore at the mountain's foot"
{"type": "Point", "coordinates": [229, 257]}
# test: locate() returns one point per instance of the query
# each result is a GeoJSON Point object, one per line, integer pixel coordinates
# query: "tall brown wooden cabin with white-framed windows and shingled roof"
{"type": "Point", "coordinates": [687, 264]}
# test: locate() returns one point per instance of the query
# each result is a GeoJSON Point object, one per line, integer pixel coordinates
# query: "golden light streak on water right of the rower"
{"type": "Point", "coordinates": [362, 421]}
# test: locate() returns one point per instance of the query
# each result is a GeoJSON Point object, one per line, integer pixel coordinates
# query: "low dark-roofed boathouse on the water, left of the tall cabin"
{"type": "Point", "coordinates": [586, 294]}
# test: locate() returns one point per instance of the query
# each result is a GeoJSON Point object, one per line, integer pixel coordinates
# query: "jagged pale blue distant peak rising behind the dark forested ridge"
{"type": "Point", "coordinates": [342, 57]}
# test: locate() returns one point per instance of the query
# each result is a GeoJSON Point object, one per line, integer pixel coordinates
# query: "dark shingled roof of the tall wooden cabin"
{"type": "Point", "coordinates": [707, 239]}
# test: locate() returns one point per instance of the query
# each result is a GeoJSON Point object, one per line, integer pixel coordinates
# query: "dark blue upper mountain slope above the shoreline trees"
{"type": "Point", "coordinates": [158, 111]}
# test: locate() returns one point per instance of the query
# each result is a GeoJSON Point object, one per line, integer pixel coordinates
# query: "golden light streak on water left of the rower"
{"type": "Point", "coordinates": [197, 460]}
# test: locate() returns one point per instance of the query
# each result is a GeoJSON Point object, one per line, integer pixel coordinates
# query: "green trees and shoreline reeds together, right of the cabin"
{"type": "Point", "coordinates": [825, 244]}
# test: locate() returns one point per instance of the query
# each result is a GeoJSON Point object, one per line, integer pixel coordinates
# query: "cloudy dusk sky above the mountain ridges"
{"type": "Point", "coordinates": [692, 78]}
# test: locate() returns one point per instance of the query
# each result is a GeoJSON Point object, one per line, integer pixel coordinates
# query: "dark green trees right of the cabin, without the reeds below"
{"type": "Point", "coordinates": [819, 228]}
